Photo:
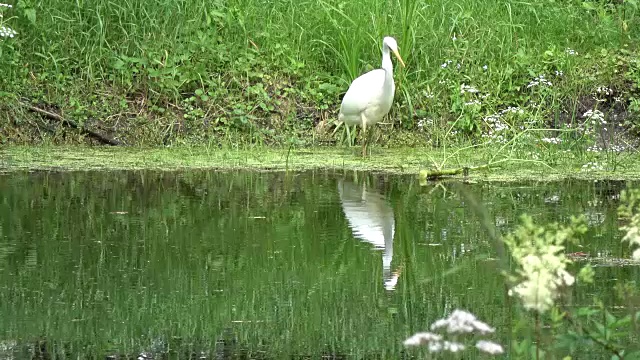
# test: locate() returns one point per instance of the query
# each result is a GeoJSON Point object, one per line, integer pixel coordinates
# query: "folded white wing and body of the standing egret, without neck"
{"type": "Point", "coordinates": [364, 90]}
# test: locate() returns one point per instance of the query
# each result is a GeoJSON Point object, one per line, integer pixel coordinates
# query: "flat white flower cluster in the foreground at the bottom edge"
{"type": "Point", "coordinates": [459, 322]}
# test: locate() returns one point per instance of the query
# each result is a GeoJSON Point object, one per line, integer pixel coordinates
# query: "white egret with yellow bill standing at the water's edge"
{"type": "Point", "coordinates": [370, 96]}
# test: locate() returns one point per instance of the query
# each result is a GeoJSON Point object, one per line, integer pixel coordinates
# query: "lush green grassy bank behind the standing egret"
{"type": "Point", "coordinates": [160, 72]}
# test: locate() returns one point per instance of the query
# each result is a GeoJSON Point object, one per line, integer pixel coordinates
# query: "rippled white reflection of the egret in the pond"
{"type": "Point", "coordinates": [371, 220]}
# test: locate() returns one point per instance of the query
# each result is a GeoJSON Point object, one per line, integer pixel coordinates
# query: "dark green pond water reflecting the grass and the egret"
{"type": "Point", "coordinates": [263, 265]}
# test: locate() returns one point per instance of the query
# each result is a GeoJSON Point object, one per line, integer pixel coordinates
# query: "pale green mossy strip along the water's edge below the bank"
{"type": "Point", "coordinates": [397, 161]}
